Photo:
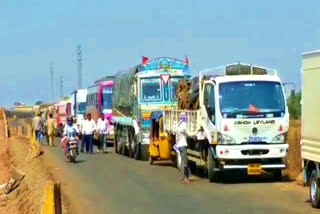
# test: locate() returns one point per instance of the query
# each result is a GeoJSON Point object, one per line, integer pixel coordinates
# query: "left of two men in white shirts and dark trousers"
{"type": "Point", "coordinates": [89, 126]}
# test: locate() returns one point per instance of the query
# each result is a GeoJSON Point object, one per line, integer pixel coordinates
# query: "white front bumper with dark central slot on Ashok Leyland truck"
{"type": "Point", "coordinates": [260, 151]}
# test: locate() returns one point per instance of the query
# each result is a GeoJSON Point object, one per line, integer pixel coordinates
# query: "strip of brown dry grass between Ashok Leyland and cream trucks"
{"type": "Point", "coordinates": [294, 158]}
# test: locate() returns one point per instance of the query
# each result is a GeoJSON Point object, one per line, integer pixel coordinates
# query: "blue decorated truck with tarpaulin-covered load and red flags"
{"type": "Point", "coordinates": [139, 91]}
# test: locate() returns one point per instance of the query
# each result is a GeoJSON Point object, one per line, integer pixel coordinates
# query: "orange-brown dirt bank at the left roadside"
{"type": "Point", "coordinates": [27, 197]}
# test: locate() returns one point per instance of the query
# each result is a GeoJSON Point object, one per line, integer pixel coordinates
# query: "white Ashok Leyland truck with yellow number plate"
{"type": "Point", "coordinates": [240, 122]}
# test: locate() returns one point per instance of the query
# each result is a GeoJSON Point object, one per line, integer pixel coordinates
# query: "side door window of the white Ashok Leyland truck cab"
{"type": "Point", "coordinates": [209, 101]}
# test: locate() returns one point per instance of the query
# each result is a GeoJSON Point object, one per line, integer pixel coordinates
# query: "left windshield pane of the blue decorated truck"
{"type": "Point", "coordinates": [151, 90]}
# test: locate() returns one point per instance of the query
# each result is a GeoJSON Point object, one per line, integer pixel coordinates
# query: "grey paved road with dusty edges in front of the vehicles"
{"type": "Point", "coordinates": [109, 183]}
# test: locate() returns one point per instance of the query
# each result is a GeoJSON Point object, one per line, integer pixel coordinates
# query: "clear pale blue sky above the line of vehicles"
{"type": "Point", "coordinates": [114, 35]}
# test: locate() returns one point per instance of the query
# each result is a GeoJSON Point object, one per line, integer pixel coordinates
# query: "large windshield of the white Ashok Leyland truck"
{"type": "Point", "coordinates": [251, 99]}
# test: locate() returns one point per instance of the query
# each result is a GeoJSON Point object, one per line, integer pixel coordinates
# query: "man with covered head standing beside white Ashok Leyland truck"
{"type": "Point", "coordinates": [181, 141]}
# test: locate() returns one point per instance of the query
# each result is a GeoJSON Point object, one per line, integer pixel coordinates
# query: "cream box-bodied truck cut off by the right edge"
{"type": "Point", "coordinates": [310, 126]}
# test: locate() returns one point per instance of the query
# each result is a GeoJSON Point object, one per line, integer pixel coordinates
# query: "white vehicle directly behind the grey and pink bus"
{"type": "Point", "coordinates": [78, 104]}
